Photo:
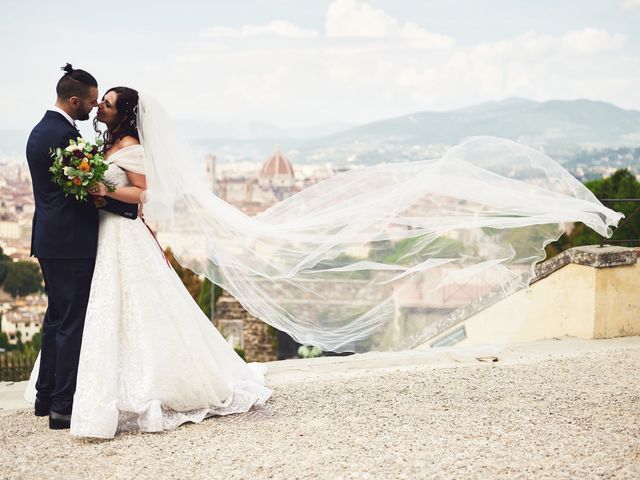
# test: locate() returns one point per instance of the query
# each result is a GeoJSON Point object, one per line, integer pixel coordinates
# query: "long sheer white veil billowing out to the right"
{"type": "Point", "coordinates": [374, 258]}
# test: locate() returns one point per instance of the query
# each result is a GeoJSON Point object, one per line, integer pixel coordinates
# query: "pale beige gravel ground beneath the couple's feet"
{"type": "Point", "coordinates": [569, 418]}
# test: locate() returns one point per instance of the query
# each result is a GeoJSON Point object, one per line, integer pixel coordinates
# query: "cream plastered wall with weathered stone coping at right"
{"type": "Point", "coordinates": [586, 292]}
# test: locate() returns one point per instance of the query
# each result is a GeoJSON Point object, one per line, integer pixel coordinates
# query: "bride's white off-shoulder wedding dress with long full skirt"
{"type": "Point", "coordinates": [150, 359]}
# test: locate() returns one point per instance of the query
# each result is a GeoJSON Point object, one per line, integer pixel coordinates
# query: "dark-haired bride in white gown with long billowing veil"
{"type": "Point", "coordinates": [329, 265]}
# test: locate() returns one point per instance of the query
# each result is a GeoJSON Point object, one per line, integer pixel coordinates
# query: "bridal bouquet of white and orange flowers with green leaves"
{"type": "Point", "coordinates": [79, 167]}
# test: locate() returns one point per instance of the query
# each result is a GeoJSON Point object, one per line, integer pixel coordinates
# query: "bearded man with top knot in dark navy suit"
{"type": "Point", "coordinates": [64, 240]}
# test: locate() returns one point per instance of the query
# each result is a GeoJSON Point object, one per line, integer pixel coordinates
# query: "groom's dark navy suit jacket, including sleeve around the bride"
{"type": "Point", "coordinates": [63, 227]}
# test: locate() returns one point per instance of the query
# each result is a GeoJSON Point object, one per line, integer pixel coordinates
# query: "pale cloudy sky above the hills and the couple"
{"type": "Point", "coordinates": [298, 63]}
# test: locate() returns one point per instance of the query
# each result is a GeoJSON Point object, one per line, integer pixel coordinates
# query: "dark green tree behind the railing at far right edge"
{"type": "Point", "coordinates": [622, 184]}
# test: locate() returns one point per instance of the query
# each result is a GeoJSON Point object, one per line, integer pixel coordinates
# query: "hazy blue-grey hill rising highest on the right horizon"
{"type": "Point", "coordinates": [559, 125]}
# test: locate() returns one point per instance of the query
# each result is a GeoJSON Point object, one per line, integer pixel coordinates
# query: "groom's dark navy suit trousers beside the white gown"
{"type": "Point", "coordinates": [67, 283]}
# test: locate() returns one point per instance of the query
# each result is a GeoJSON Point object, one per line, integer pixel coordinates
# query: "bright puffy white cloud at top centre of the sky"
{"type": "Point", "coordinates": [355, 18]}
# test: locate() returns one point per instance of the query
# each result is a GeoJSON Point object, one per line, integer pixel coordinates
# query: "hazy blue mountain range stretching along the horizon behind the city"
{"type": "Point", "coordinates": [561, 127]}
